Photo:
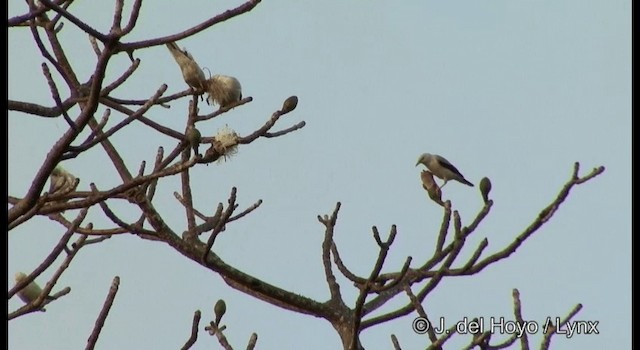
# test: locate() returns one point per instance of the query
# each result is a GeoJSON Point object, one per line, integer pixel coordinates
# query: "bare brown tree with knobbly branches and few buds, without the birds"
{"type": "Point", "coordinates": [414, 279]}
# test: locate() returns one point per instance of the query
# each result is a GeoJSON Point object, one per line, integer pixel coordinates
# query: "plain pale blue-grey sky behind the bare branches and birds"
{"type": "Point", "coordinates": [514, 90]}
